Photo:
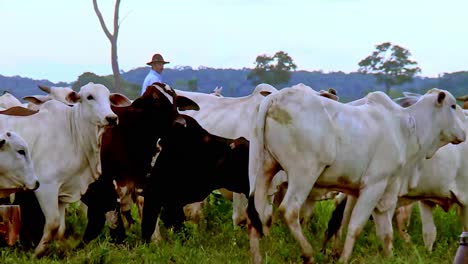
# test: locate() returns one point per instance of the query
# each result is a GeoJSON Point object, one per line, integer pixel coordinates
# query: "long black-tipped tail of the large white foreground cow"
{"type": "Point", "coordinates": [258, 194]}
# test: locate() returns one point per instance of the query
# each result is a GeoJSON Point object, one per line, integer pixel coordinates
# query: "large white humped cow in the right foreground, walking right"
{"type": "Point", "coordinates": [360, 150]}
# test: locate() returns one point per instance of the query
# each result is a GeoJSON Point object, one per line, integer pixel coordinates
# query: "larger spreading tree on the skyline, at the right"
{"type": "Point", "coordinates": [390, 64]}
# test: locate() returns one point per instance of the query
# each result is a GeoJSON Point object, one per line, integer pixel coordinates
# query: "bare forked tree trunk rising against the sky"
{"type": "Point", "coordinates": [113, 40]}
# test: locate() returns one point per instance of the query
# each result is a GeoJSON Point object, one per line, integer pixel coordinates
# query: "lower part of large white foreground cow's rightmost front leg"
{"type": "Point", "coordinates": [384, 228]}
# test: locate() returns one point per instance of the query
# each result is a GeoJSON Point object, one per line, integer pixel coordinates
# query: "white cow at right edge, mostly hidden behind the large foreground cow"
{"type": "Point", "coordinates": [441, 180]}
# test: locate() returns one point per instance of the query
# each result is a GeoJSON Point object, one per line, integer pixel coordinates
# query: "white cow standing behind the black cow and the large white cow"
{"type": "Point", "coordinates": [232, 117]}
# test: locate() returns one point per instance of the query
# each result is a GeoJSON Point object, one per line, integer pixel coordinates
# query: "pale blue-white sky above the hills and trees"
{"type": "Point", "coordinates": [60, 39]}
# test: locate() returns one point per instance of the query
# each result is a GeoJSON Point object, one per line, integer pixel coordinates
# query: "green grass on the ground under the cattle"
{"type": "Point", "coordinates": [216, 241]}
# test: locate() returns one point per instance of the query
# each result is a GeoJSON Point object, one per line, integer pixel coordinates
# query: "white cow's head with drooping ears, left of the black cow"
{"type": "Point", "coordinates": [95, 101]}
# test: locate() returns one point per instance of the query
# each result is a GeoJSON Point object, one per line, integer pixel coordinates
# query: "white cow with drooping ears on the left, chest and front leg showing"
{"type": "Point", "coordinates": [65, 147]}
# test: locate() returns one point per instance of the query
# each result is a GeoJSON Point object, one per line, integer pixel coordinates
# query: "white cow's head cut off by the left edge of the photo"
{"type": "Point", "coordinates": [16, 167]}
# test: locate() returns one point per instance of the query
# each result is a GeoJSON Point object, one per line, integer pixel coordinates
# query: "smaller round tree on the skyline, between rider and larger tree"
{"type": "Point", "coordinates": [273, 70]}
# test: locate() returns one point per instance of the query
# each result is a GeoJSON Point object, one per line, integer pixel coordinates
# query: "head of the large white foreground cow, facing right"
{"type": "Point", "coordinates": [447, 119]}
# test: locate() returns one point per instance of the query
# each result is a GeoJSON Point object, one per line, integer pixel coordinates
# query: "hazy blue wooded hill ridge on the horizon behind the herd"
{"type": "Point", "coordinates": [350, 86]}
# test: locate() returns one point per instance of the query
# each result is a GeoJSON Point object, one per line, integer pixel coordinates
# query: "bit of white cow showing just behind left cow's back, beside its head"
{"type": "Point", "coordinates": [53, 93]}
